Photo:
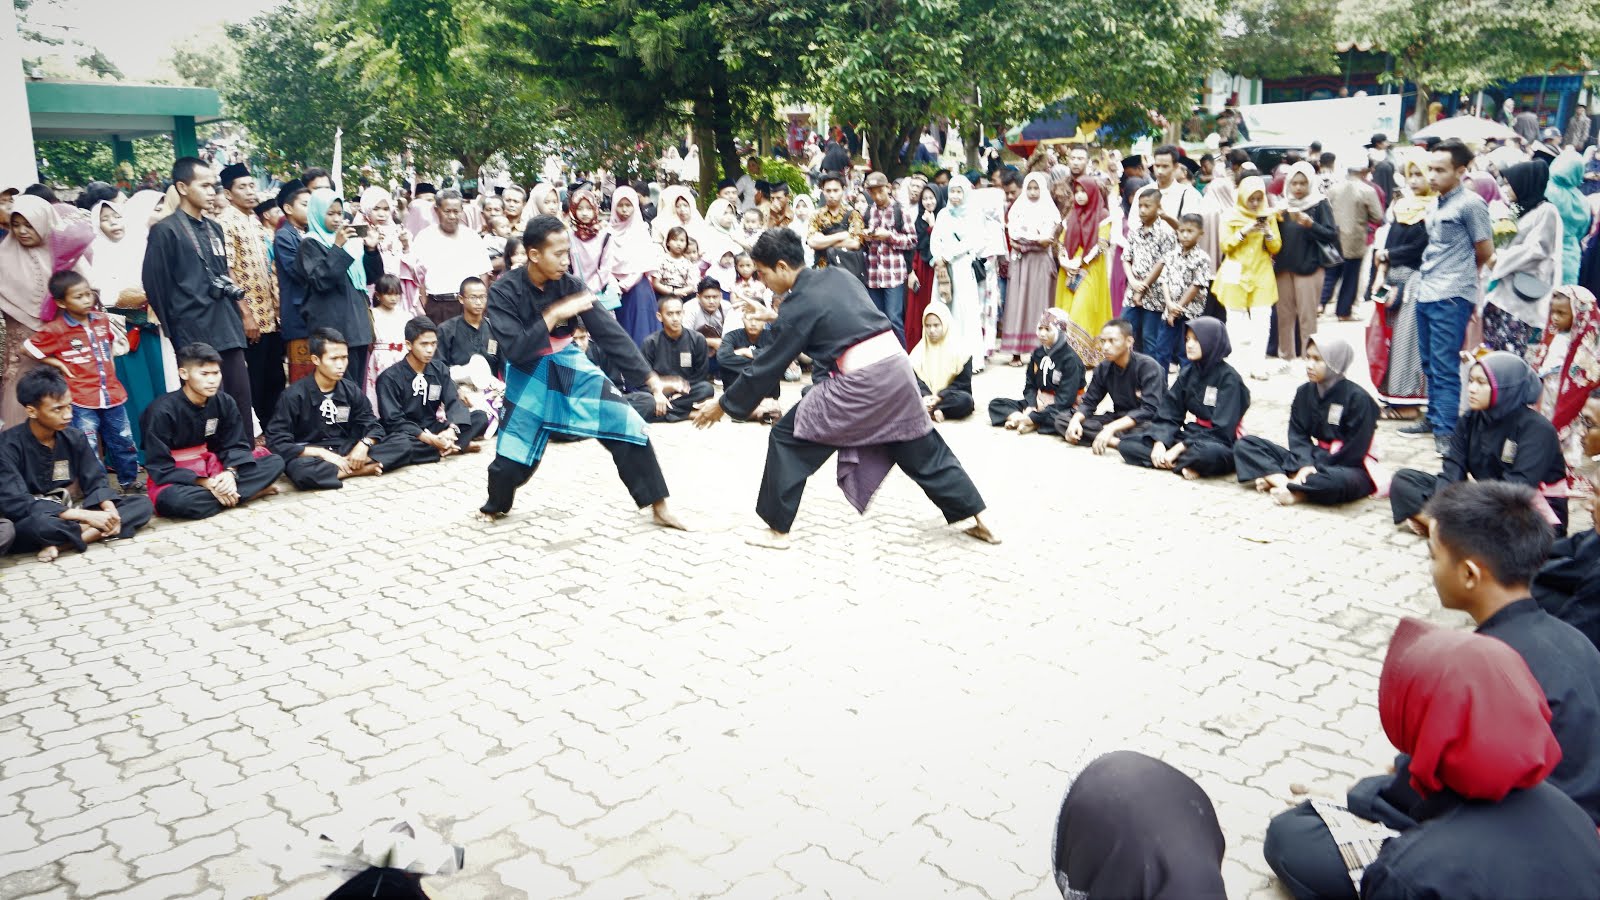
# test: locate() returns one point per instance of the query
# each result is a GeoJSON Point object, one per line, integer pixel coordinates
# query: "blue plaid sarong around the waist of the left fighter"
{"type": "Point", "coordinates": [564, 395]}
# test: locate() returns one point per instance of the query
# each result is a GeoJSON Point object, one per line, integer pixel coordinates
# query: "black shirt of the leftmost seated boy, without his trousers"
{"type": "Point", "coordinates": [30, 470]}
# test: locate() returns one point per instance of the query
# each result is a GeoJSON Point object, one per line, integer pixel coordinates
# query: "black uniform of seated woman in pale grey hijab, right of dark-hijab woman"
{"type": "Point", "coordinates": [1346, 416]}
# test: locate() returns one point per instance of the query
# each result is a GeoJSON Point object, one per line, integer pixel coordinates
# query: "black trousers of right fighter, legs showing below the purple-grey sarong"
{"type": "Point", "coordinates": [927, 460]}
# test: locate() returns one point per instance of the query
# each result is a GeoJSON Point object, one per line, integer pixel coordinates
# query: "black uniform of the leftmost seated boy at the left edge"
{"type": "Point", "coordinates": [31, 473]}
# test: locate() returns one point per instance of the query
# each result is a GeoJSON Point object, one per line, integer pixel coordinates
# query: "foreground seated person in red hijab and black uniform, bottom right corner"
{"type": "Point", "coordinates": [1490, 822]}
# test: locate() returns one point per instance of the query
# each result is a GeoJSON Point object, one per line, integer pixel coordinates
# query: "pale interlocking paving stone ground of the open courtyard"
{"type": "Point", "coordinates": [601, 709]}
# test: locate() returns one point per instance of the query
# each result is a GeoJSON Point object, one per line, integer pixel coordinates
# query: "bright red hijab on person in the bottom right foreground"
{"type": "Point", "coordinates": [1468, 712]}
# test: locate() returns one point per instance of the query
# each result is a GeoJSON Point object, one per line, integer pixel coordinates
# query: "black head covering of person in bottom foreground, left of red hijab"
{"type": "Point", "coordinates": [1135, 829]}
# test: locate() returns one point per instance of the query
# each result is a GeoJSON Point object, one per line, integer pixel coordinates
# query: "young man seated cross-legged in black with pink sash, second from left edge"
{"type": "Point", "coordinates": [198, 451]}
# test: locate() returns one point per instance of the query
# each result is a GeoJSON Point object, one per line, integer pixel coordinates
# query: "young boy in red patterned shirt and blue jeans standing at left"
{"type": "Point", "coordinates": [81, 345]}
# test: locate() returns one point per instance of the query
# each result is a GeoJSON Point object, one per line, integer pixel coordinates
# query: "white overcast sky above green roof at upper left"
{"type": "Point", "coordinates": [140, 34]}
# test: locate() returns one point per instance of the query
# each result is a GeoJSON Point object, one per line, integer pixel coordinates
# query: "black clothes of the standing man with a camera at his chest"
{"type": "Point", "coordinates": [180, 262]}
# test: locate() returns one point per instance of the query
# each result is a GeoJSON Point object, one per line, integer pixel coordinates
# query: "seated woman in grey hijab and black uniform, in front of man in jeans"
{"type": "Point", "coordinates": [1500, 438]}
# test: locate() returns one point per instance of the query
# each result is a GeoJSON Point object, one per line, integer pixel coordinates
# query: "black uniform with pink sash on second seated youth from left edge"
{"type": "Point", "coordinates": [174, 424]}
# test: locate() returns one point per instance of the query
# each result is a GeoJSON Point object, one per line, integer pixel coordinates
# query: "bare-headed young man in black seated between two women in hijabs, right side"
{"type": "Point", "coordinates": [1135, 385]}
